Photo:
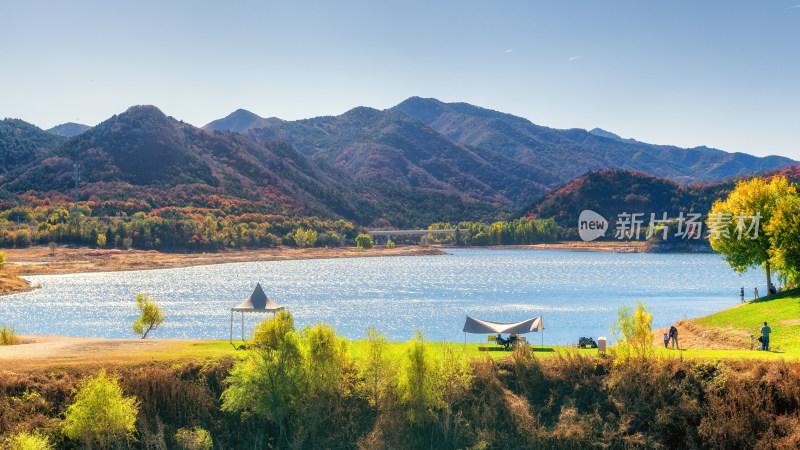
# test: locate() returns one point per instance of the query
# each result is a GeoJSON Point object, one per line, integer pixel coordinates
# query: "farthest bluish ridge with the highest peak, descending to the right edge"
{"type": "Point", "coordinates": [573, 152]}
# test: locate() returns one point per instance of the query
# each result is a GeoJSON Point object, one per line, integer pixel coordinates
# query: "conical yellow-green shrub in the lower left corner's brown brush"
{"type": "Point", "coordinates": [101, 415]}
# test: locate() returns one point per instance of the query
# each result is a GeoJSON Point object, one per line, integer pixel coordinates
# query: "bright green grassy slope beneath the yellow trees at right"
{"type": "Point", "coordinates": [780, 311]}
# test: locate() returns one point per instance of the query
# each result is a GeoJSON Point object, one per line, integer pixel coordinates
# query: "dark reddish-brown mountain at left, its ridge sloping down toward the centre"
{"type": "Point", "coordinates": [144, 153]}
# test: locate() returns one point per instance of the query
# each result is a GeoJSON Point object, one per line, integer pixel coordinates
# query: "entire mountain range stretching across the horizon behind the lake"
{"type": "Point", "coordinates": [419, 162]}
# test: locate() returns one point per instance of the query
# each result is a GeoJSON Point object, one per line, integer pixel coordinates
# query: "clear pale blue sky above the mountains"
{"type": "Point", "coordinates": [717, 73]}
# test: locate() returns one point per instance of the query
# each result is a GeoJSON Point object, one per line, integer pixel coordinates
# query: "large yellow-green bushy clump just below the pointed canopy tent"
{"type": "Point", "coordinates": [294, 380]}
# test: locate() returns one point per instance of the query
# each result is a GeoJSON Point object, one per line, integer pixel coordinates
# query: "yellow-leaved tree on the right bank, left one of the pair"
{"type": "Point", "coordinates": [738, 224]}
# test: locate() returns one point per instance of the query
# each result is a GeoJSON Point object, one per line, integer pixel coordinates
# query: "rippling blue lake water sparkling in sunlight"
{"type": "Point", "coordinates": [576, 293]}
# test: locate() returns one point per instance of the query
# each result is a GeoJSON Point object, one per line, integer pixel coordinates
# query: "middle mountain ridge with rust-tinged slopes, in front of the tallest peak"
{"type": "Point", "coordinates": [390, 147]}
